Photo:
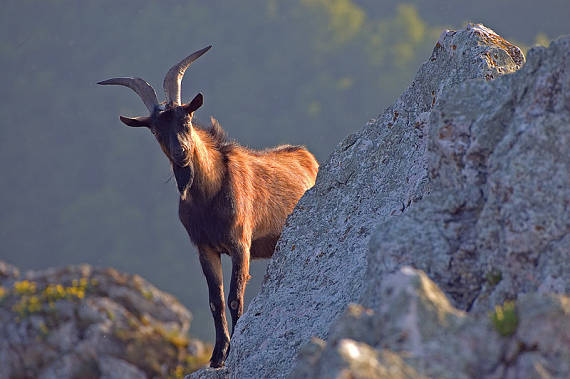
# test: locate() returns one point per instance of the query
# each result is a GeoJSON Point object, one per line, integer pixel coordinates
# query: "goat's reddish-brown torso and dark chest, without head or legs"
{"type": "Point", "coordinates": [254, 194]}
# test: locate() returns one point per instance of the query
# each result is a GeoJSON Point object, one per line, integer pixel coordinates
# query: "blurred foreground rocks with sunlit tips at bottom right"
{"type": "Point", "coordinates": [416, 333]}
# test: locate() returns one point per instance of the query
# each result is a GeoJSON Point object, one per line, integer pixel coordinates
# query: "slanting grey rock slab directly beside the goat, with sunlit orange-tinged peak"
{"type": "Point", "coordinates": [372, 177]}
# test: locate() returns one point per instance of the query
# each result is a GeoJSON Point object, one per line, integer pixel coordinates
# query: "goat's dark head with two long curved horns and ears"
{"type": "Point", "coordinates": [170, 121]}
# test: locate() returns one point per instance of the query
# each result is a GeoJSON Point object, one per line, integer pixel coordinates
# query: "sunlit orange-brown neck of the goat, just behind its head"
{"type": "Point", "coordinates": [207, 164]}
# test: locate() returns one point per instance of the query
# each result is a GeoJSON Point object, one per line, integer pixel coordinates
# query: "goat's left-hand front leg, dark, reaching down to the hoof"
{"type": "Point", "coordinates": [212, 268]}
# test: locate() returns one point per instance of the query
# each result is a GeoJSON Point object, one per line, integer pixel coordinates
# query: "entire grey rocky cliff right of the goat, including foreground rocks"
{"type": "Point", "coordinates": [466, 178]}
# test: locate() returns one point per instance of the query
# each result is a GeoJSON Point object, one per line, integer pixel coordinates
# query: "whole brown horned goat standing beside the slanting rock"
{"type": "Point", "coordinates": [233, 200]}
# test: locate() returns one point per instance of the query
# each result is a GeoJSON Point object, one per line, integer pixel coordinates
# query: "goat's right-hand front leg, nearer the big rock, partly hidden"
{"type": "Point", "coordinates": [240, 276]}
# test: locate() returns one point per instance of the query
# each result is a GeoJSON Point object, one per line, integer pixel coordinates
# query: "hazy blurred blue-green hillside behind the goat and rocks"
{"type": "Point", "coordinates": [78, 186]}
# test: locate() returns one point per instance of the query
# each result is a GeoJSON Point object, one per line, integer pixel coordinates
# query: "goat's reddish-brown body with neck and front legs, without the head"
{"type": "Point", "coordinates": [237, 204]}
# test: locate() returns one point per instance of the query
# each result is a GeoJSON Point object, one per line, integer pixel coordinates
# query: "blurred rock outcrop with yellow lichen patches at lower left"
{"type": "Point", "coordinates": [85, 322]}
